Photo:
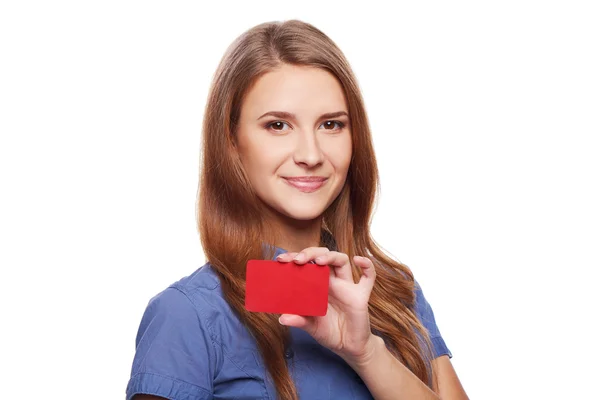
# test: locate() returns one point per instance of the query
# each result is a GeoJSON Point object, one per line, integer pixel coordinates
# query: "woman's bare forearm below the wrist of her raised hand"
{"type": "Point", "coordinates": [387, 378]}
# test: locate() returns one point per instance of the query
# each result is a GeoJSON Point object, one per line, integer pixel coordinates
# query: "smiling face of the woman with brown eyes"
{"type": "Point", "coordinates": [285, 134]}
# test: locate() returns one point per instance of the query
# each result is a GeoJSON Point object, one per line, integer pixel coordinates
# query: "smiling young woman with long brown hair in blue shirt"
{"type": "Point", "coordinates": [289, 173]}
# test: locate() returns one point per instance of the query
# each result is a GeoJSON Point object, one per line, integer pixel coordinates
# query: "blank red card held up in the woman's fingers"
{"type": "Point", "coordinates": [287, 288]}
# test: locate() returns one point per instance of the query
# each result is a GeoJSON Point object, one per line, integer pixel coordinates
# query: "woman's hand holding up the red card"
{"type": "Point", "coordinates": [345, 329]}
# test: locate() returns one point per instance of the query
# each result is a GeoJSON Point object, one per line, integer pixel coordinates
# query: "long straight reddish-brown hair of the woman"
{"type": "Point", "coordinates": [230, 215]}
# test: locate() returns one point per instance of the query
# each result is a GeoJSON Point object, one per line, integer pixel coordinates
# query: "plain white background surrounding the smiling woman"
{"type": "Point", "coordinates": [486, 122]}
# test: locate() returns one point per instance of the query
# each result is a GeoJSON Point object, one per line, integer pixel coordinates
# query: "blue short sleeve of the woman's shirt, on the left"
{"type": "Point", "coordinates": [175, 356]}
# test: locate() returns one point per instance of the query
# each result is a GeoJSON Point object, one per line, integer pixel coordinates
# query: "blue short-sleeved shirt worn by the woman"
{"type": "Point", "coordinates": [191, 346]}
